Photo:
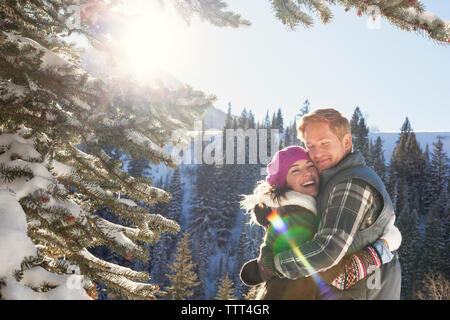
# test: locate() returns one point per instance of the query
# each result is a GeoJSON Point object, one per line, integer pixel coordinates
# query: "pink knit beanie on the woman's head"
{"type": "Point", "coordinates": [278, 168]}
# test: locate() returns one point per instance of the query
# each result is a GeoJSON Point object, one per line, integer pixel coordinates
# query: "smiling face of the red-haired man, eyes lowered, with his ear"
{"type": "Point", "coordinates": [324, 147]}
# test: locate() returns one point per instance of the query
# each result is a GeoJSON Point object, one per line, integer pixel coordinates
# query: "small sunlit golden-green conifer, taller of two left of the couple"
{"type": "Point", "coordinates": [183, 277]}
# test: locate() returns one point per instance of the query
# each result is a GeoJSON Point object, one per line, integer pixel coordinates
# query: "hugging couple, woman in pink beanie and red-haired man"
{"type": "Point", "coordinates": [329, 221]}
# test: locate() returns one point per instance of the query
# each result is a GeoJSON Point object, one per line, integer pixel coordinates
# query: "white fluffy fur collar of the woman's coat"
{"type": "Point", "coordinates": [263, 194]}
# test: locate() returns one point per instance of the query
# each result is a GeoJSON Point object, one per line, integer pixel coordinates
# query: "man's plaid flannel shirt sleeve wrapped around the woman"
{"type": "Point", "coordinates": [349, 203]}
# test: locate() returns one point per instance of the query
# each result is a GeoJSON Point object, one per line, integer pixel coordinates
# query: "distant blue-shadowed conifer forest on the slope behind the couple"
{"type": "Point", "coordinates": [205, 201]}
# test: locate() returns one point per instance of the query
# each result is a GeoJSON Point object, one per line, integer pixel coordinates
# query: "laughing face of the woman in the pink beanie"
{"type": "Point", "coordinates": [303, 177]}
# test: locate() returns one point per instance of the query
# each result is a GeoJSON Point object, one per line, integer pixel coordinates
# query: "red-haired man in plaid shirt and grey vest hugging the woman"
{"type": "Point", "coordinates": [353, 205]}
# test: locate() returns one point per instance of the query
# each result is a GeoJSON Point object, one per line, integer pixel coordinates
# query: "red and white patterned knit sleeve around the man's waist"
{"type": "Point", "coordinates": [361, 264]}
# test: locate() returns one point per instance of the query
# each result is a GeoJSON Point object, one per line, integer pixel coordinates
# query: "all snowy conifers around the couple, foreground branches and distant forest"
{"type": "Point", "coordinates": [112, 188]}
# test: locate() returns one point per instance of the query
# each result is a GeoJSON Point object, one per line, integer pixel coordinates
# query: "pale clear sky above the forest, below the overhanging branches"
{"type": "Point", "coordinates": [387, 72]}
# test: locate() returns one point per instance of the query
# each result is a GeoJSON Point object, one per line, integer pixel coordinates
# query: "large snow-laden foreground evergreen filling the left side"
{"type": "Point", "coordinates": [65, 121]}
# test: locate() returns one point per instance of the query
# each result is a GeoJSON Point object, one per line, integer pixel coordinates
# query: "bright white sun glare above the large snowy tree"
{"type": "Point", "coordinates": [154, 38]}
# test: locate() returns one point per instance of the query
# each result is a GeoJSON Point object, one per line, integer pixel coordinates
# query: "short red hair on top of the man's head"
{"type": "Point", "coordinates": [339, 125]}
